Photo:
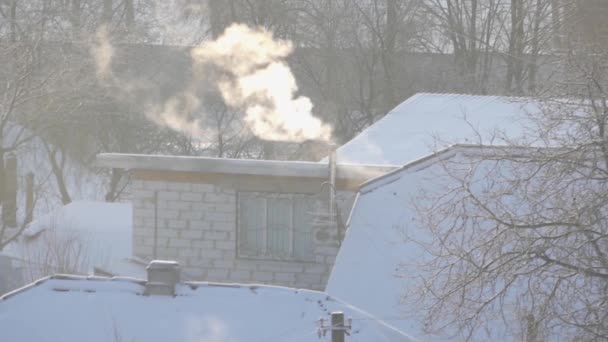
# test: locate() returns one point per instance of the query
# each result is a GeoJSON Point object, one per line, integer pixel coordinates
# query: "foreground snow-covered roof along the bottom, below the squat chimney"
{"type": "Point", "coordinates": [69, 308]}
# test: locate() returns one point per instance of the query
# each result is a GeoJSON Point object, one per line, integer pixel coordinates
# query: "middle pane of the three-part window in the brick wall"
{"type": "Point", "coordinates": [279, 227]}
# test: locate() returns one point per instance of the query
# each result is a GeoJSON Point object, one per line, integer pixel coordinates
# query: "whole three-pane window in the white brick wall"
{"type": "Point", "coordinates": [275, 226]}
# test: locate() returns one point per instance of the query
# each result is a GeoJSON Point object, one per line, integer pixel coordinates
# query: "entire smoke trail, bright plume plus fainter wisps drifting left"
{"type": "Point", "coordinates": [248, 68]}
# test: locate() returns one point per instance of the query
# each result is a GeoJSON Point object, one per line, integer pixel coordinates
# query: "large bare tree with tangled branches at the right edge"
{"type": "Point", "coordinates": [519, 238]}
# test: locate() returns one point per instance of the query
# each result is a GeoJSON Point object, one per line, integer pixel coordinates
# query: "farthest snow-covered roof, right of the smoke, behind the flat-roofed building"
{"type": "Point", "coordinates": [425, 123]}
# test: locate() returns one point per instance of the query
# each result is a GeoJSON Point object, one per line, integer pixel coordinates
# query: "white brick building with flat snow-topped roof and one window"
{"type": "Point", "coordinates": [246, 221]}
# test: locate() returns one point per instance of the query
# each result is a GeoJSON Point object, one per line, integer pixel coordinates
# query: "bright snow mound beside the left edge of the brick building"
{"type": "Point", "coordinates": [101, 233]}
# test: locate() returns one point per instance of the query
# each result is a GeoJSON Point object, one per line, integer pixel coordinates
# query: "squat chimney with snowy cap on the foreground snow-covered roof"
{"type": "Point", "coordinates": [163, 275]}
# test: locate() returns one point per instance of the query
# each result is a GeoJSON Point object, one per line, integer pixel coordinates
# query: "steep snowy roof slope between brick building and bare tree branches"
{"type": "Point", "coordinates": [374, 268]}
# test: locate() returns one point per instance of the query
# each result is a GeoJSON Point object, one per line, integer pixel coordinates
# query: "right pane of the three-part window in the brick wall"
{"type": "Point", "coordinates": [303, 217]}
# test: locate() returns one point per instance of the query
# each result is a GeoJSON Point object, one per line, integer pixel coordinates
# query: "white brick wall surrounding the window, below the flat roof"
{"type": "Point", "coordinates": [197, 227]}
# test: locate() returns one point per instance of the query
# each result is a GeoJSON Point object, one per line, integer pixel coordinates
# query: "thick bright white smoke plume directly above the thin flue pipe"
{"type": "Point", "coordinates": [259, 82]}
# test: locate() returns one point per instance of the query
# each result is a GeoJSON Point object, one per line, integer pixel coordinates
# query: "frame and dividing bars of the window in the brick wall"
{"type": "Point", "coordinates": [292, 231]}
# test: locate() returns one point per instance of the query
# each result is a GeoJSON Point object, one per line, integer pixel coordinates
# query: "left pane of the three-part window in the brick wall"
{"type": "Point", "coordinates": [252, 212]}
